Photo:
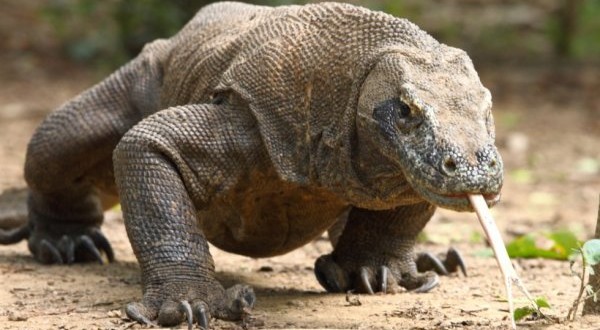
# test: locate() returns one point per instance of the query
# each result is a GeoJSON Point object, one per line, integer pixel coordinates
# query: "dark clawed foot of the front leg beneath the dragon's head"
{"type": "Point", "coordinates": [420, 275]}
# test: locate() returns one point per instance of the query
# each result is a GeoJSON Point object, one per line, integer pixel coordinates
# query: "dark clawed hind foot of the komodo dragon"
{"type": "Point", "coordinates": [68, 243]}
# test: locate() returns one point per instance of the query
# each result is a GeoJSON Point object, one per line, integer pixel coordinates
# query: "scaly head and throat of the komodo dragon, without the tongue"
{"type": "Point", "coordinates": [422, 129]}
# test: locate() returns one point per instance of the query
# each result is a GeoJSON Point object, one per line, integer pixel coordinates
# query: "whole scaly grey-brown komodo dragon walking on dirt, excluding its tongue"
{"type": "Point", "coordinates": [257, 129]}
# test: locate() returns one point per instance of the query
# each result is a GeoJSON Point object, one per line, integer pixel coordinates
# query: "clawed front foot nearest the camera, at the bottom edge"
{"type": "Point", "coordinates": [231, 304]}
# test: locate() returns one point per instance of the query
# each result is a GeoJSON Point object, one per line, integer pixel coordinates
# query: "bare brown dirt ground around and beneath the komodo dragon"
{"type": "Point", "coordinates": [548, 128]}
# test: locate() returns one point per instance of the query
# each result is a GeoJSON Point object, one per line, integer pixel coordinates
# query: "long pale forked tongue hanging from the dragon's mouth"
{"type": "Point", "coordinates": [493, 235]}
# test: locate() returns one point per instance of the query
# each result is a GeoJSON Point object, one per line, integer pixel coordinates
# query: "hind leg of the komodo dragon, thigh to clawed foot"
{"type": "Point", "coordinates": [68, 166]}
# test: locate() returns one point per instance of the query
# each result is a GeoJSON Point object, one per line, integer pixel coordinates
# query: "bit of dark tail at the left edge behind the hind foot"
{"type": "Point", "coordinates": [13, 216]}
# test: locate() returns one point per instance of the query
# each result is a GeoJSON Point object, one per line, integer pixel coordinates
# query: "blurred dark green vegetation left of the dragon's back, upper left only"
{"type": "Point", "coordinates": [109, 32]}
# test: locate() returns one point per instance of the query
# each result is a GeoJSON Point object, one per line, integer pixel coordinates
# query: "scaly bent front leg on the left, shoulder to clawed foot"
{"type": "Point", "coordinates": [167, 167]}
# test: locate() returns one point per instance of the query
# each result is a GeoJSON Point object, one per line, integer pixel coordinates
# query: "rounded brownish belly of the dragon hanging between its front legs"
{"type": "Point", "coordinates": [267, 217]}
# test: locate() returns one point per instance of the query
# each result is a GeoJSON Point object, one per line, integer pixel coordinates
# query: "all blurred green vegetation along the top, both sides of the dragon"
{"type": "Point", "coordinates": [107, 33]}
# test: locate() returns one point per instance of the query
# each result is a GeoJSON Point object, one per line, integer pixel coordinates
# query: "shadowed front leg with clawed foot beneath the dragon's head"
{"type": "Point", "coordinates": [375, 252]}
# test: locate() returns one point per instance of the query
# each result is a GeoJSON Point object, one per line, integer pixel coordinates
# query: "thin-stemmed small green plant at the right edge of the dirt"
{"type": "Point", "coordinates": [590, 256]}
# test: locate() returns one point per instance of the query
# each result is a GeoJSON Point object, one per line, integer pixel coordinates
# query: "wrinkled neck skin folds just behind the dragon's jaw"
{"type": "Point", "coordinates": [355, 168]}
